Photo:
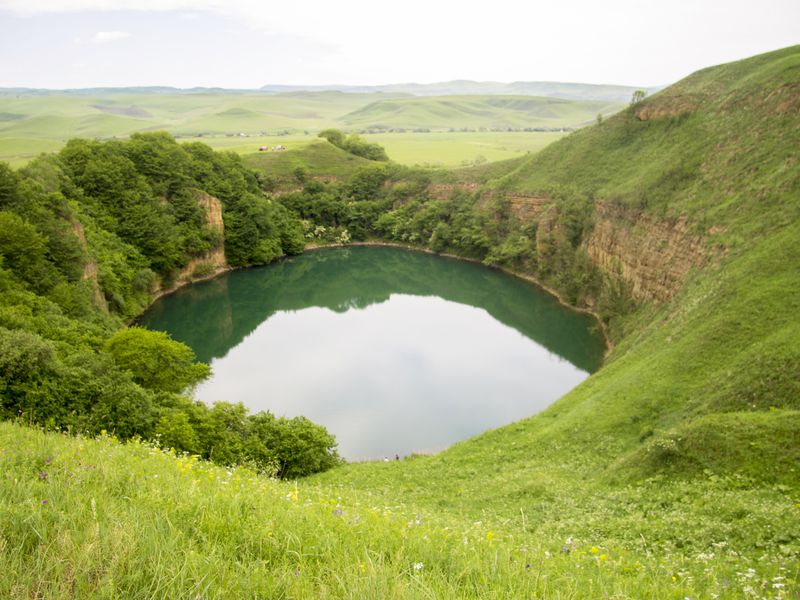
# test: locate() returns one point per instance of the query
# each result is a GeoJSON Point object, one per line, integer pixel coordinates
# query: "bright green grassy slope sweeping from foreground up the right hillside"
{"type": "Point", "coordinates": [670, 473]}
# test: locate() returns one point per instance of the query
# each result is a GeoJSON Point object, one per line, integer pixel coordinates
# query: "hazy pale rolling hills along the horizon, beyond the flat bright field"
{"type": "Point", "coordinates": [32, 121]}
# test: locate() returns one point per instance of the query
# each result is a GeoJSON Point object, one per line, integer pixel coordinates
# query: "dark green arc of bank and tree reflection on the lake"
{"type": "Point", "coordinates": [212, 317]}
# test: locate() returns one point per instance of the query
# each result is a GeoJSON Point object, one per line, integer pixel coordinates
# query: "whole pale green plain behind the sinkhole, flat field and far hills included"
{"type": "Point", "coordinates": [42, 123]}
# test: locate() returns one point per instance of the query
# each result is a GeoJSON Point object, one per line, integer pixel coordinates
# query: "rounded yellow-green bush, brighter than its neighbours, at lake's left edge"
{"type": "Point", "coordinates": [156, 361]}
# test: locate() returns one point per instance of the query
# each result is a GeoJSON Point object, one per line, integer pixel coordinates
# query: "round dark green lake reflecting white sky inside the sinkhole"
{"type": "Point", "coordinates": [393, 351]}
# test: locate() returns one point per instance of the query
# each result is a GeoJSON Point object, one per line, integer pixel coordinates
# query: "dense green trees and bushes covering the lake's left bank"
{"type": "Point", "coordinates": [87, 237]}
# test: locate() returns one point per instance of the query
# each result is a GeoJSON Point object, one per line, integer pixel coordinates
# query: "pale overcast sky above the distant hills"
{"type": "Point", "coordinates": [249, 43]}
